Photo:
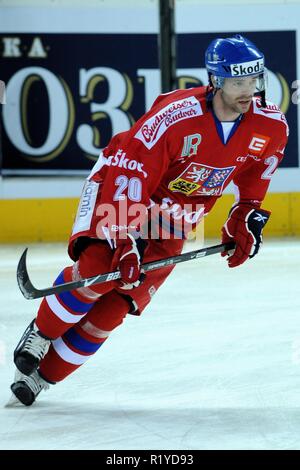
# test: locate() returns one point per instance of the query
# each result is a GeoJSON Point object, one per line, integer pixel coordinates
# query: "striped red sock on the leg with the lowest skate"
{"type": "Point", "coordinates": [81, 341]}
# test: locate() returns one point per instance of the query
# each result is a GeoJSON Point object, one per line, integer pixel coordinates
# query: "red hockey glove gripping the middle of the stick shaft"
{"type": "Point", "coordinates": [127, 258]}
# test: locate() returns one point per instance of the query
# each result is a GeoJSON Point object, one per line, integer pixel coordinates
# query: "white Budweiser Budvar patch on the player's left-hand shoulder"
{"type": "Point", "coordinates": [154, 127]}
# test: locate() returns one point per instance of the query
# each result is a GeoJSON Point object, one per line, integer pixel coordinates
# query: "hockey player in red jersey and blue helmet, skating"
{"type": "Point", "coordinates": [177, 159]}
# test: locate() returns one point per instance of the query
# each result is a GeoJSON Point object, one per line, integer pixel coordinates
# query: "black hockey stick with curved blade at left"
{"type": "Point", "coordinates": [30, 292]}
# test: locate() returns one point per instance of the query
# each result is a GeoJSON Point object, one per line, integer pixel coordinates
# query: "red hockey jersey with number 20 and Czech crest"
{"type": "Point", "coordinates": [175, 158]}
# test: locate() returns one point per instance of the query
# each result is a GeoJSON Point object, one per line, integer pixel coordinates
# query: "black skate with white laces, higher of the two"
{"type": "Point", "coordinates": [30, 350]}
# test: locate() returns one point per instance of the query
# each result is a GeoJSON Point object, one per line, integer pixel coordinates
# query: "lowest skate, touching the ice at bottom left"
{"type": "Point", "coordinates": [26, 389]}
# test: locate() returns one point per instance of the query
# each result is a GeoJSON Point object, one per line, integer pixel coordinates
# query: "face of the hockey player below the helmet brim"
{"type": "Point", "coordinates": [237, 93]}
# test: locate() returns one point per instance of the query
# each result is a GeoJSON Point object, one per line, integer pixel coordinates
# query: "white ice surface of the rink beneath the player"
{"type": "Point", "coordinates": [213, 363]}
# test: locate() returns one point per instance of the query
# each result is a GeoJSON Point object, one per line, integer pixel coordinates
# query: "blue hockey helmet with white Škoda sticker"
{"type": "Point", "coordinates": [234, 57]}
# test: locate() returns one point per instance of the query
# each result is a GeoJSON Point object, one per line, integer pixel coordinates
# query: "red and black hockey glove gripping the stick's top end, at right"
{"type": "Point", "coordinates": [244, 226]}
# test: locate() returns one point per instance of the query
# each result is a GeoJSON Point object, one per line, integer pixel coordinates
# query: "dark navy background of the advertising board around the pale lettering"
{"type": "Point", "coordinates": [126, 53]}
